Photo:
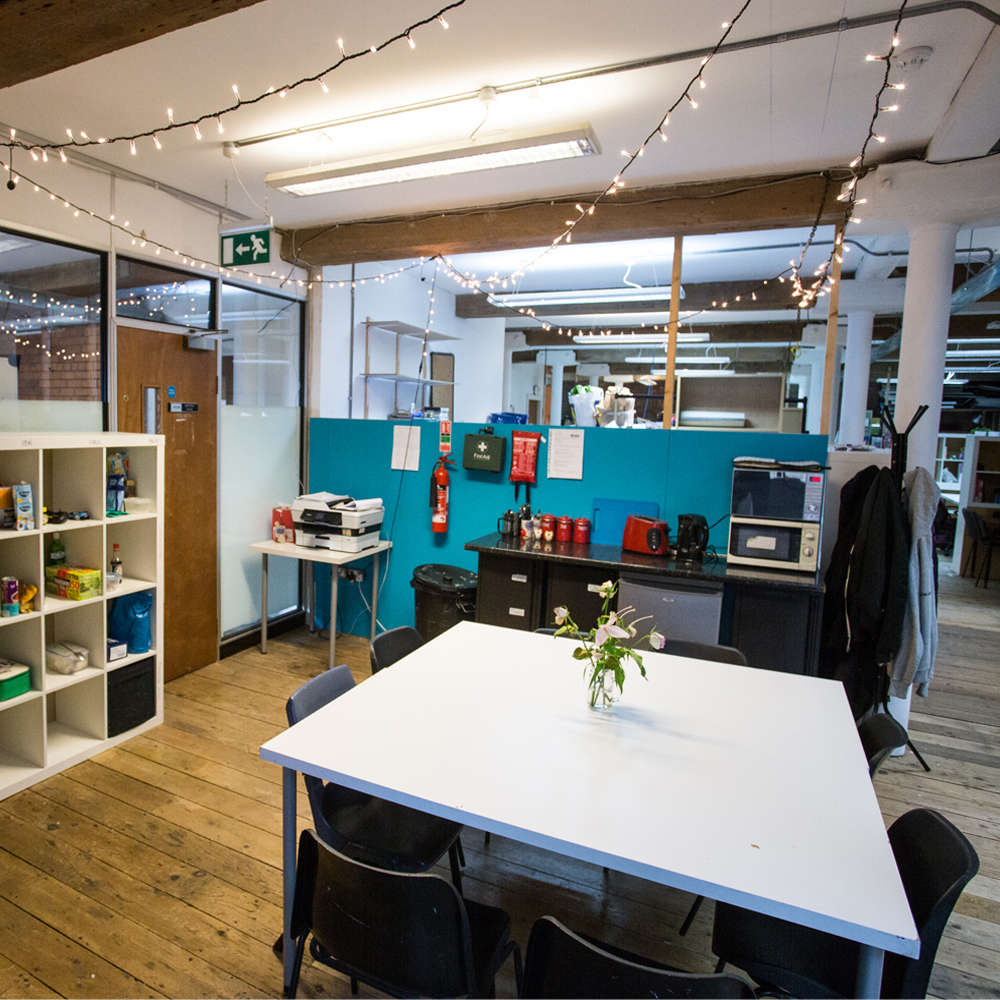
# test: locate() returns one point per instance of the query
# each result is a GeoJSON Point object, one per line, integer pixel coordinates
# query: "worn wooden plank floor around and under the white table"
{"type": "Point", "coordinates": [154, 869]}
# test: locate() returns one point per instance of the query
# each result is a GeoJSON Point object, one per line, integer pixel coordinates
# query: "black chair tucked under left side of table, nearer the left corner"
{"type": "Point", "coordinates": [364, 827]}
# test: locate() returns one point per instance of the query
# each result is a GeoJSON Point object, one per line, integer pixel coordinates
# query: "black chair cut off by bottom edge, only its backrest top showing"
{"type": "Point", "coordinates": [560, 963]}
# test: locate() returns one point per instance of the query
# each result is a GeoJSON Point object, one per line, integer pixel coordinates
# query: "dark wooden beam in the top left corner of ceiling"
{"type": "Point", "coordinates": [42, 36]}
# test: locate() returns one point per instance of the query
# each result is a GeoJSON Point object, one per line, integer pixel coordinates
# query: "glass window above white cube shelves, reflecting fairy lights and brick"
{"type": "Point", "coordinates": [51, 336]}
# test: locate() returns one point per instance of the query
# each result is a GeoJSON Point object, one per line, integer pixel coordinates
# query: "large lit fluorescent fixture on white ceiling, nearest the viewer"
{"type": "Point", "coordinates": [536, 146]}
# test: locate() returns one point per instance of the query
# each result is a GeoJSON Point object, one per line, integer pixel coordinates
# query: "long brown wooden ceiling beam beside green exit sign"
{"type": "Point", "coordinates": [771, 202]}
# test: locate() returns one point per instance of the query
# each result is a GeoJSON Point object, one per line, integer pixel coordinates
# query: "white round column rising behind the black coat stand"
{"type": "Point", "coordinates": [926, 311]}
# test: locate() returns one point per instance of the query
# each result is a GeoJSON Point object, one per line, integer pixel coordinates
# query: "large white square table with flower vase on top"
{"type": "Point", "coordinates": [747, 786]}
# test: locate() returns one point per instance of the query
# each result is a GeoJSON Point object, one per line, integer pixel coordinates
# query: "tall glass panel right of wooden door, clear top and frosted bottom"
{"type": "Point", "coordinates": [260, 436]}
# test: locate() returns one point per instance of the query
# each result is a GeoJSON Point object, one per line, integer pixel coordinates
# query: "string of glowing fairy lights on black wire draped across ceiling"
{"type": "Point", "coordinates": [805, 291]}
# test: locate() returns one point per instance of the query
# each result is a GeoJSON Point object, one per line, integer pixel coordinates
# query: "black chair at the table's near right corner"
{"type": "Point", "coordinates": [935, 861]}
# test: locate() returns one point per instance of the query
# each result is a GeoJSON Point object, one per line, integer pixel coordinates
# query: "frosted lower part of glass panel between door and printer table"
{"type": "Point", "coordinates": [259, 469]}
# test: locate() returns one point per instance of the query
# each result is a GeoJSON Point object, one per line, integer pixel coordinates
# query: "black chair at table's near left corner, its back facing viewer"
{"type": "Point", "coordinates": [403, 934]}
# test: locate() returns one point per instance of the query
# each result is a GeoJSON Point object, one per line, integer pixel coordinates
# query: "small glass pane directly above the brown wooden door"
{"type": "Point", "coordinates": [162, 295]}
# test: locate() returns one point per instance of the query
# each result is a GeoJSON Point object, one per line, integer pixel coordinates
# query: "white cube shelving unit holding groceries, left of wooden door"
{"type": "Point", "coordinates": [64, 718]}
